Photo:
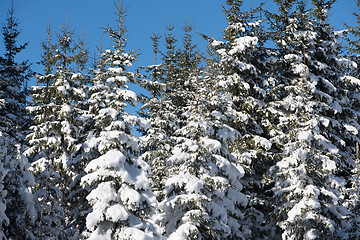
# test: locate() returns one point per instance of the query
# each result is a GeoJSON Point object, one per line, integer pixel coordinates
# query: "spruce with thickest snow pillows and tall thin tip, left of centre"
{"type": "Point", "coordinates": [117, 182]}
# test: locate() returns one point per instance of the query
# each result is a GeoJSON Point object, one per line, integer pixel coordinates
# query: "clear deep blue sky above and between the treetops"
{"type": "Point", "coordinates": [143, 18]}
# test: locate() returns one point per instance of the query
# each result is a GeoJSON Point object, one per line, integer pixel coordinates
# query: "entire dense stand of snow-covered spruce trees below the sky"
{"type": "Point", "coordinates": [255, 137]}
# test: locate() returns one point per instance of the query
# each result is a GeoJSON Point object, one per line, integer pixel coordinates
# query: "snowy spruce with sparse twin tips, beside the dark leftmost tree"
{"type": "Point", "coordinates": [53, 138]}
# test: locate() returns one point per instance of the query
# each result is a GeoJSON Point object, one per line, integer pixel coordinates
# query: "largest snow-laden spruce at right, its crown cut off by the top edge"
{"type": "Point", "coordinates": [311, 116]}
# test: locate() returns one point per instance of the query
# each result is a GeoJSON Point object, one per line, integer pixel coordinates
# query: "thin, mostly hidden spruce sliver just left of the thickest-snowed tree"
{"type": "Point", "coordinates": [78, 206]}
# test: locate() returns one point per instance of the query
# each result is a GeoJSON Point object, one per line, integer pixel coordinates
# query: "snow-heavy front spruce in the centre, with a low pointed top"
{"type": "Point", "coordinates": [202, 192]}
